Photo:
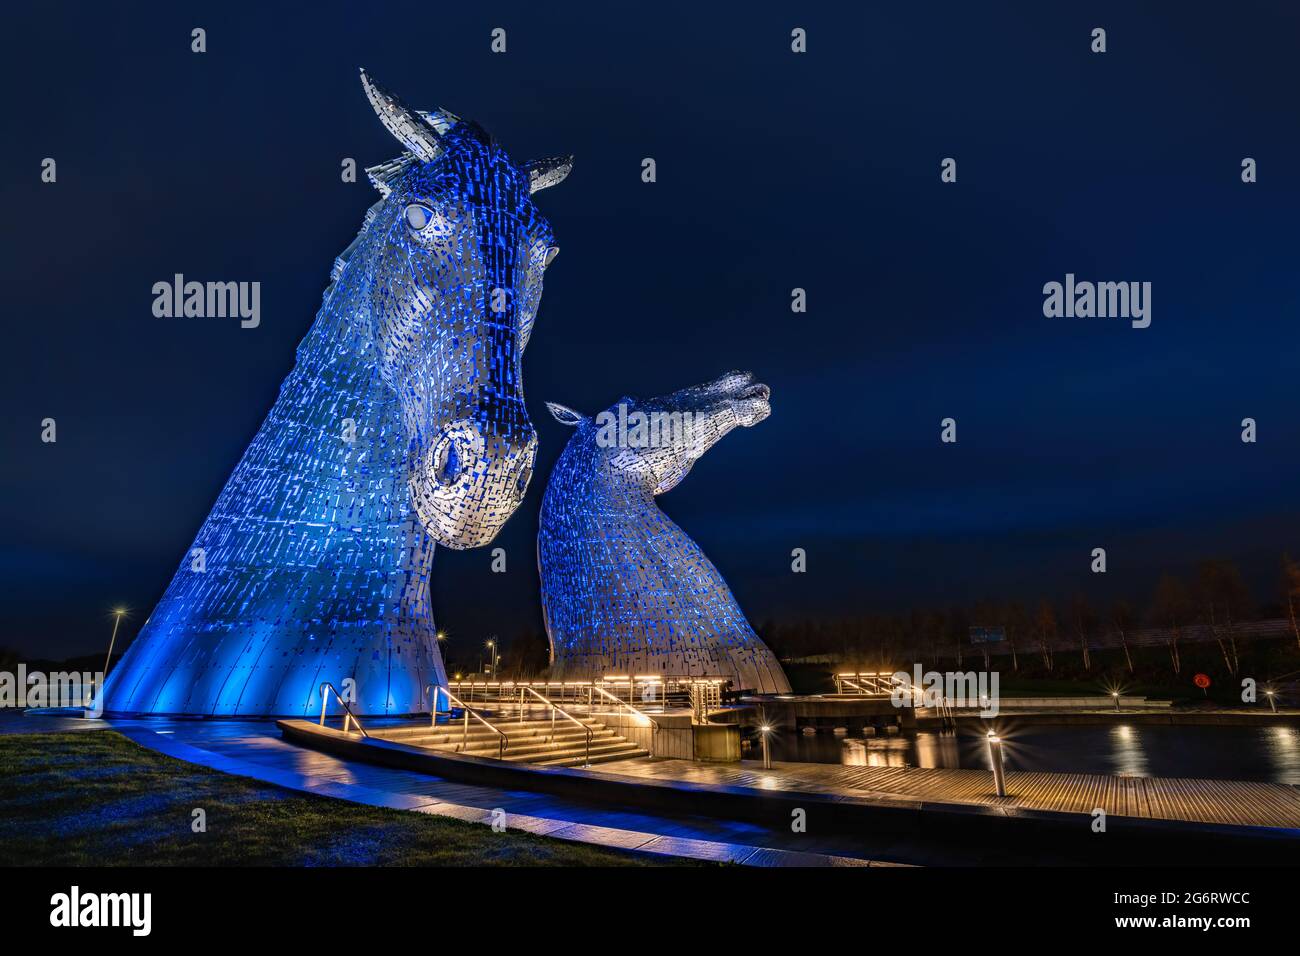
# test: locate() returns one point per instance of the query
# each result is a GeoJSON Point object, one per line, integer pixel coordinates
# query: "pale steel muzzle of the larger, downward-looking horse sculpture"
{"type": "Point", "coordinates": [469, 483]}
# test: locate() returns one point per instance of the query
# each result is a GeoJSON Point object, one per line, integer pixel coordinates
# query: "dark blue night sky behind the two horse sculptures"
{"type": "Point", "coordinates": [775, 171]}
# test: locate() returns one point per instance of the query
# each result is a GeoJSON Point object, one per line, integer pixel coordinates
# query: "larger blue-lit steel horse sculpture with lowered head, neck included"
{"type": "Point", "coordinates": [402, 426]}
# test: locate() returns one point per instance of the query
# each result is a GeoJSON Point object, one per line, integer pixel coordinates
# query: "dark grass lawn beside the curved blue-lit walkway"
{"type": "Point", "coordinates": [97, 799]}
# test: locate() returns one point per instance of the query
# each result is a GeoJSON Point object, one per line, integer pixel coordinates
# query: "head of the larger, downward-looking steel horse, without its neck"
{"type": "Point", "coordinates": [456, 269]}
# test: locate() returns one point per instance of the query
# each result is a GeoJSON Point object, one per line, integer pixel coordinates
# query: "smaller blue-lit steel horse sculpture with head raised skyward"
{"type": "Point", "coordinates": [625, 590]}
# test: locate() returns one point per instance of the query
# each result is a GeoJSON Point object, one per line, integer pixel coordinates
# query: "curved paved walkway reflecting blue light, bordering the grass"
{"type": "Point", "coordinates": [254, 749]}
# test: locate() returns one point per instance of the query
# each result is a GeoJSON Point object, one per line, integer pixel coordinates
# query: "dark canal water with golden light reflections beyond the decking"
{"type": "Point", "coordinates": [1232, 754]}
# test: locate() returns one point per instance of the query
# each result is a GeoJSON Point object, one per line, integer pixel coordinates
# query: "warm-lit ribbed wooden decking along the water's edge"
{"type": "Point", "coordinates": [1152, 798]}
